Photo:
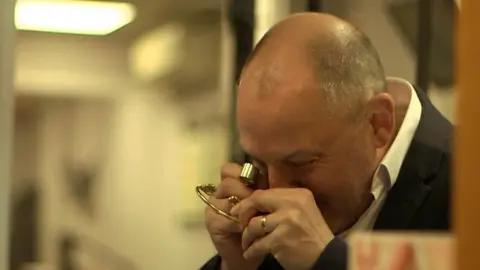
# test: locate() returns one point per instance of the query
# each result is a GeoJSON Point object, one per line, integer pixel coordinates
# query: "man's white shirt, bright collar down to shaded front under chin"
{"type": "Point", "coordinates": [387, 172]}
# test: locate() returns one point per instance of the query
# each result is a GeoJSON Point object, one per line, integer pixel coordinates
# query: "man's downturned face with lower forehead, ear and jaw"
{"type": "Point", "coordinates": [296, 143]}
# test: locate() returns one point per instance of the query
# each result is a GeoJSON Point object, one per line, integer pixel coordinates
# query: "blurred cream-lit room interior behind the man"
{"type": "Point", "coordinates": [123, 109]}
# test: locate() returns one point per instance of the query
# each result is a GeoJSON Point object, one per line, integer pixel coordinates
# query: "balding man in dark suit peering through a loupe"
{"type": "Point", "coordinates": [339, 148]}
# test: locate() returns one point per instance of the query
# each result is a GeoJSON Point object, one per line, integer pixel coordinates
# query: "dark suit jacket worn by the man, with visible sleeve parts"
{"type": "Point", "coordinates": [420, 198]}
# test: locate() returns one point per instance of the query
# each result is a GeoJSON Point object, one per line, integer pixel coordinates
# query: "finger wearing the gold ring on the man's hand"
{"type": "Point", "coordinates": [255, 230]}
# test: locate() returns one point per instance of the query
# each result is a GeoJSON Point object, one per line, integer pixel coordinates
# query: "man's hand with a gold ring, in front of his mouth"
{"type": "Point", "coordinates": [293, 229]}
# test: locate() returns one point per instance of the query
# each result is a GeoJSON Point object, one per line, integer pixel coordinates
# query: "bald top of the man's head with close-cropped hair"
{"type": "Point", "coordinates": [343, 61]}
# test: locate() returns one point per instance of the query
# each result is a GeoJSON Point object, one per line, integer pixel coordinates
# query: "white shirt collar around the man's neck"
{"type": "Point", "coordinates": [389, 168]}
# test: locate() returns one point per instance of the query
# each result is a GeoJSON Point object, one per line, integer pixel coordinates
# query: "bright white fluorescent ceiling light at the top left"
{"type": "Point", "coordinates": [73, 17]}
